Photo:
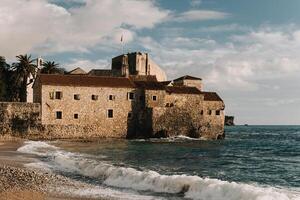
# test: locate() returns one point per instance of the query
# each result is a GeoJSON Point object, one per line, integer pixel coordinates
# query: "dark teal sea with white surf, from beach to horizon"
{"type": "Point", "coordinates": [251, 163]}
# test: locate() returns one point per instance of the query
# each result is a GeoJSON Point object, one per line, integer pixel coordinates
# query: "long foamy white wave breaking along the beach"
{"type": "Point", "coordinates": [193, 187]}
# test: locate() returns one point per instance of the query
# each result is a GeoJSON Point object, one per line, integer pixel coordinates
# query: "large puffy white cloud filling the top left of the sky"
{"type": "Point", "coordinates": [41, 27]}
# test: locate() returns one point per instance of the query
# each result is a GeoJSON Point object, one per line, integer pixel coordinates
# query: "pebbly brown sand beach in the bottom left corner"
{"type": "Point", "coordinates": [17, 182]}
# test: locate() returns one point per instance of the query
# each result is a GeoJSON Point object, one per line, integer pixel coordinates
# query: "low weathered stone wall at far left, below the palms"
{"type": "Point", "coordinates": [18, 118]}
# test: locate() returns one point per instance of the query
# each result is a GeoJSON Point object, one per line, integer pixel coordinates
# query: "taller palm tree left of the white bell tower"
{"type": "Point", "coordinates": [23, 69]}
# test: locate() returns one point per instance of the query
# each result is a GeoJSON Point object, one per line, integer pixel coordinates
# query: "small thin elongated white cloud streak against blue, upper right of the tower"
{"type": "Point", "coordinates": [199, 15]}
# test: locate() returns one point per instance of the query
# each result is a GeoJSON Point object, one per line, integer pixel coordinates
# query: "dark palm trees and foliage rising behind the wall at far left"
{"type": "Point", "coordinates": [14, 78]}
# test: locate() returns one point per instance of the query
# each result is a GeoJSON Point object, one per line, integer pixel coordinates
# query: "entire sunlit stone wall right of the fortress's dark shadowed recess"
{"type": "Point", "coordinates": [188, 114]}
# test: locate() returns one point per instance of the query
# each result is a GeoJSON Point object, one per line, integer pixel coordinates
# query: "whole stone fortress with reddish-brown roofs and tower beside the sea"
{"type": "Point", "coordinates": [133, 99]}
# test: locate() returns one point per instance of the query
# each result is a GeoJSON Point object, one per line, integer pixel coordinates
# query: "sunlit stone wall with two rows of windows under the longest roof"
{"type": "Point", "coordinates": [91, 113]}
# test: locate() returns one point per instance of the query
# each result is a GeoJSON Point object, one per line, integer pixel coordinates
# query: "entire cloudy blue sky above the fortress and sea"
{"type": "Point", "coordinates": [247, 51]}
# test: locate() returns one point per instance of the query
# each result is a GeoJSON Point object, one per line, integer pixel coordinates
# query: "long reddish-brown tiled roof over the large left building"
{"type": "Point", "coordinates": [85, 81]}
